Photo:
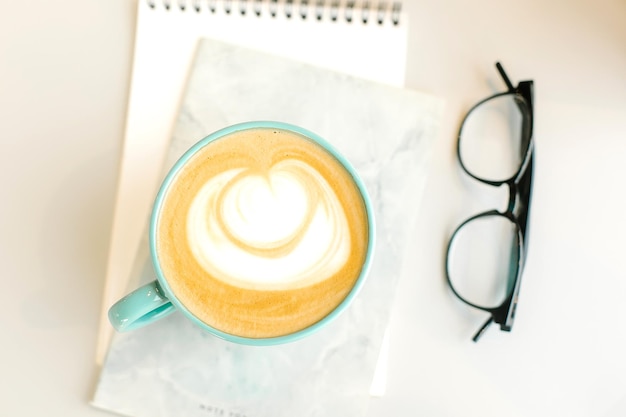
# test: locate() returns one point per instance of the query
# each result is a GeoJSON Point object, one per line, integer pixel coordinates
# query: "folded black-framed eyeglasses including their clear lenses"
{"type": "Point", "coordinates": [487, 252]}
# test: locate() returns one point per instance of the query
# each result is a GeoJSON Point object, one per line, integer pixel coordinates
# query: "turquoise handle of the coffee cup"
{"type": "Point", "coordinates": [143, 306]}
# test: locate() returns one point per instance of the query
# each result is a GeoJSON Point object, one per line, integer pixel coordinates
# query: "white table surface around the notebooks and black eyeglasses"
{"type": "Point", "coordinates": [64, 75]}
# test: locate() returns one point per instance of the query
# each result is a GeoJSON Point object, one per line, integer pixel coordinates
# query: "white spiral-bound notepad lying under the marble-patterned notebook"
{"type": "Point", "coordinates": [366, 39]}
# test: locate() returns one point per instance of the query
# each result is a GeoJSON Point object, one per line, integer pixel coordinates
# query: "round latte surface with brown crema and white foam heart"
{"type": "Point", "coordinates": [262, 233]}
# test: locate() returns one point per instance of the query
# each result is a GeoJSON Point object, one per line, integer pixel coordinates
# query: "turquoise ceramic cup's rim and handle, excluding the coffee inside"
{"type": "Point", "coordinates": [156, 299]}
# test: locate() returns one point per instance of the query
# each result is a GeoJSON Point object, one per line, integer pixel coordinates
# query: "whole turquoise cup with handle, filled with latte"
{"type": "Point", "coordinates": [239, 301]}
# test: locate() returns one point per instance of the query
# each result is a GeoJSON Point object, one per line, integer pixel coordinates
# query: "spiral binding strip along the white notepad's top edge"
{"type": "Point", "coordinates": [334, 10]}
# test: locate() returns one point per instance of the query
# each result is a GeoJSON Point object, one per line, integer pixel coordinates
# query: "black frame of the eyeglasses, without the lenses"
{"type": "Point", "coordinates": [518, 208]}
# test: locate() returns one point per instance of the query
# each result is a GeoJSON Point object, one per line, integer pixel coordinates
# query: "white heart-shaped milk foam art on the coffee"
{"type": "Point", "coordinates": [280, 229]}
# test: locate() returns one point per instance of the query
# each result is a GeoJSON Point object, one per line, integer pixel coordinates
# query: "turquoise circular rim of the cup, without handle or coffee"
{"type": "Point", "coordinates": [302, 332]}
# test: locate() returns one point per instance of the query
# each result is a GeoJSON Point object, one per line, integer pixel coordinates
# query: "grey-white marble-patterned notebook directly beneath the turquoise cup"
{"type": "Point", "coordinates": [172, 368]}
